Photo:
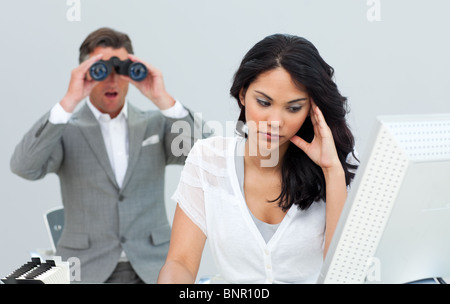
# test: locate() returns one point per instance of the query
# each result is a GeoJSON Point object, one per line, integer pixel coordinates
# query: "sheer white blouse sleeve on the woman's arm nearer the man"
{"type": "Point", "coordinates": [189, 193]}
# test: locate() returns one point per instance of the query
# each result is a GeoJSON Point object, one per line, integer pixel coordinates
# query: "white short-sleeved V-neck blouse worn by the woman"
{"type": "Point", "coordinates": [210, 195]}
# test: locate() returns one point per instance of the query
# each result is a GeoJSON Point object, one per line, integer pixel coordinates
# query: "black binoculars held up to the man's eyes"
{"type": "Point", "coordinates": [101, 69]}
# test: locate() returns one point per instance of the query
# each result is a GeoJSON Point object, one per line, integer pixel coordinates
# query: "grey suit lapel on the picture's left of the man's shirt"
{"type": "Point", "coordinates": [91, 131]}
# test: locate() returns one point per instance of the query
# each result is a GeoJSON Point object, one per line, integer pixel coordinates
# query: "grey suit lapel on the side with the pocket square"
{"type": "Point", "coordinates": [137, 125]}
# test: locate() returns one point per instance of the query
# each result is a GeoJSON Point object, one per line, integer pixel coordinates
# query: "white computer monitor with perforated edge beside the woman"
{"type": "Point", "coordinates": [395, 225]}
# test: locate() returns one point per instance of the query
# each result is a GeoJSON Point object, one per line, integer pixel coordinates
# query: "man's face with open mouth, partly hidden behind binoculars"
{"type": "Point", "coordinates": [108, 96]}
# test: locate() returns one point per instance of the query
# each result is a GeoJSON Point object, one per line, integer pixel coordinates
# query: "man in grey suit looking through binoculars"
{"type": "Point", "coordinates": [110, 158]}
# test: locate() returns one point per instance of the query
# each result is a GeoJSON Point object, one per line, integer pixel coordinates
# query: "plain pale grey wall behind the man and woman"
{"type": "Point", "coordinates": [396, 65]}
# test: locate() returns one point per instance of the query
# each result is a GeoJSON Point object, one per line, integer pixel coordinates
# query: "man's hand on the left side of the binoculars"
{"type": "Point", "coordinates": [80, 85]}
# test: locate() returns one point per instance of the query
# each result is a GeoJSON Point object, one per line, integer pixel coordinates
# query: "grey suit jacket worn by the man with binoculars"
{"type": "Point", "coordinates": [102, 219]}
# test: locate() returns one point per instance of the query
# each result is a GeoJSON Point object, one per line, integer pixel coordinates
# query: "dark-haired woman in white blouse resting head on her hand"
{"type": "Point", "coordinates": [260, 197]}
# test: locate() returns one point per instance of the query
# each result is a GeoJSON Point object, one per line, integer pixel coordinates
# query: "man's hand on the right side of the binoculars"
{"type": "Point", "coordinates": [152, 87]}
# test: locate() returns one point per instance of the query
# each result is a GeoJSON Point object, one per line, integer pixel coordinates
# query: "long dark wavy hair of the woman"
{"type": "Point", "coordinates": [303, 181]}
